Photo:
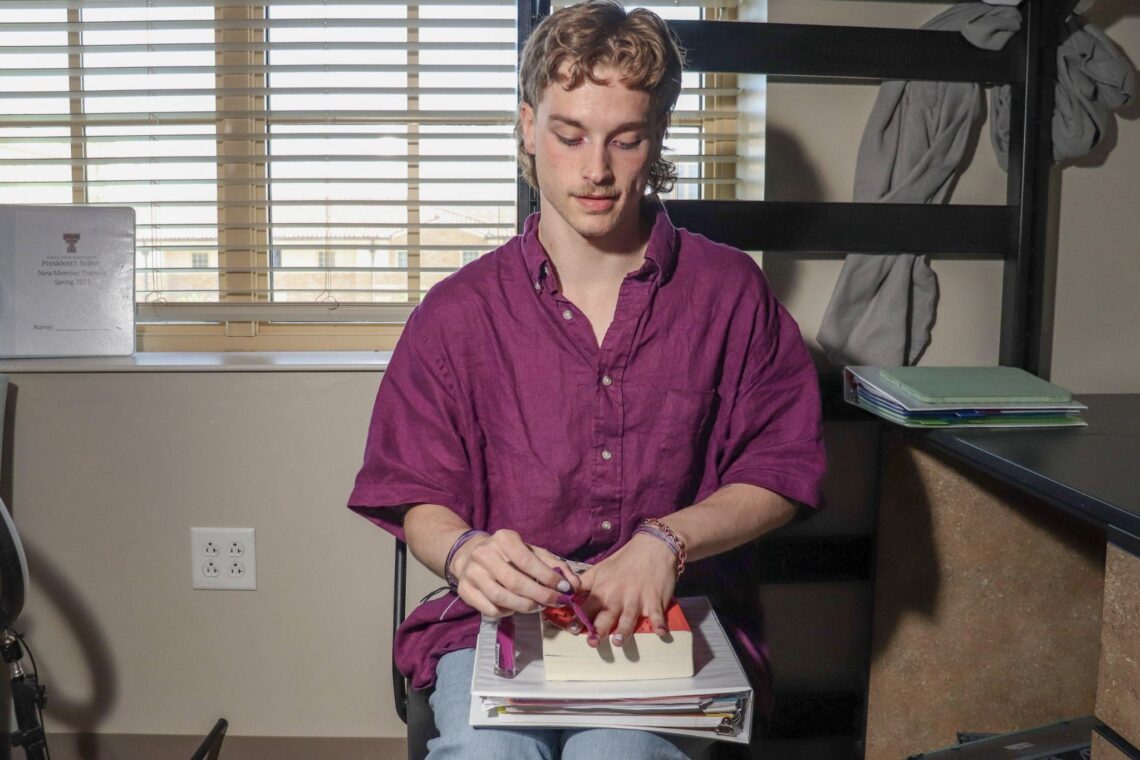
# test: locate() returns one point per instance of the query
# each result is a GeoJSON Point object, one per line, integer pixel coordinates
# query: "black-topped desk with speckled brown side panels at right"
{"type": "Point", "coordinates": [997, 602]}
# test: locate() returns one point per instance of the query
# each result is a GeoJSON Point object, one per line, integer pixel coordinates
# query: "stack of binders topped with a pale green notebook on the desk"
{"type": "Point", "coordinates": [962, 397]}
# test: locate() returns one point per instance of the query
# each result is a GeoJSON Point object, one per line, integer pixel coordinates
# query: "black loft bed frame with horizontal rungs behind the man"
{"type": "Point", "coordinates": [1016, 233]}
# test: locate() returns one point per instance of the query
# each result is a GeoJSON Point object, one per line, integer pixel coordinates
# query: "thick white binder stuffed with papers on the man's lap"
{"type": "Point", "coordinates": [716, 702]}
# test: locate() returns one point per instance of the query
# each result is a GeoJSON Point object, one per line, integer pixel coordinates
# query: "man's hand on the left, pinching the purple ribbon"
{"type": "Point", "coordinates": [501, 575]}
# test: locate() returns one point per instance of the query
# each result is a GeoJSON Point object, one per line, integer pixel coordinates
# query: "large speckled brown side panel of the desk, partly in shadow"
{"type": "Point", "coordinates": [987, 608]}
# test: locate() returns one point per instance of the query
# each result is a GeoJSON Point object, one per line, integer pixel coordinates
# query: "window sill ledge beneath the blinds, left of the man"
{"type": "Point", "coordinates": [219, 362]}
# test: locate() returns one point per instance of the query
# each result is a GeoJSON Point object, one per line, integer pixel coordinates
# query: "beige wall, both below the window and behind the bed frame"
{"type": "Point", "coordinates": [112, 470]}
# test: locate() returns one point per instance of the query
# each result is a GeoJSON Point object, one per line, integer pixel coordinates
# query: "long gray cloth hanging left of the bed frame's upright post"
{"type": "Point", "coordinates": [883, 308]}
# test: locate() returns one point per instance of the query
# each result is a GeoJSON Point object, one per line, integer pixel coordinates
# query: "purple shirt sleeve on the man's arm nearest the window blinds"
{"type": "Point", "coordinates": [416, 453]}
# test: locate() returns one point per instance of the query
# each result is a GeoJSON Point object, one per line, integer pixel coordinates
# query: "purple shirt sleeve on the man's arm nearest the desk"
{"type": "Point", "coordinates": [775, 437]}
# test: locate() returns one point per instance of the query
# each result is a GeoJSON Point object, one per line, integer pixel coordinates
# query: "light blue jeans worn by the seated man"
{"type": "Point", "coordinates": [451, 704]}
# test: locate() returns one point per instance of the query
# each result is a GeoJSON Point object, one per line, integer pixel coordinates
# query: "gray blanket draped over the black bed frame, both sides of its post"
{"type": "Point", "coordinates": [883, 308]}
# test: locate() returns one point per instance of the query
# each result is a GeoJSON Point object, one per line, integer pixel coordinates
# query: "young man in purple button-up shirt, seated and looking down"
{"type": "Point", "coordinates": [605, 388]}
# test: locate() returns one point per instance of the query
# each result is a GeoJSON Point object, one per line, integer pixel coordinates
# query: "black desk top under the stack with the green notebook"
{"type": "Point", "coordinates": [1093, 472]}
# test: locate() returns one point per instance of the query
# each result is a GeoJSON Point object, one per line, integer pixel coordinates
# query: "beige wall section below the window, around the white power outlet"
{"type": "Point", "coordinates": [110, 472]}
